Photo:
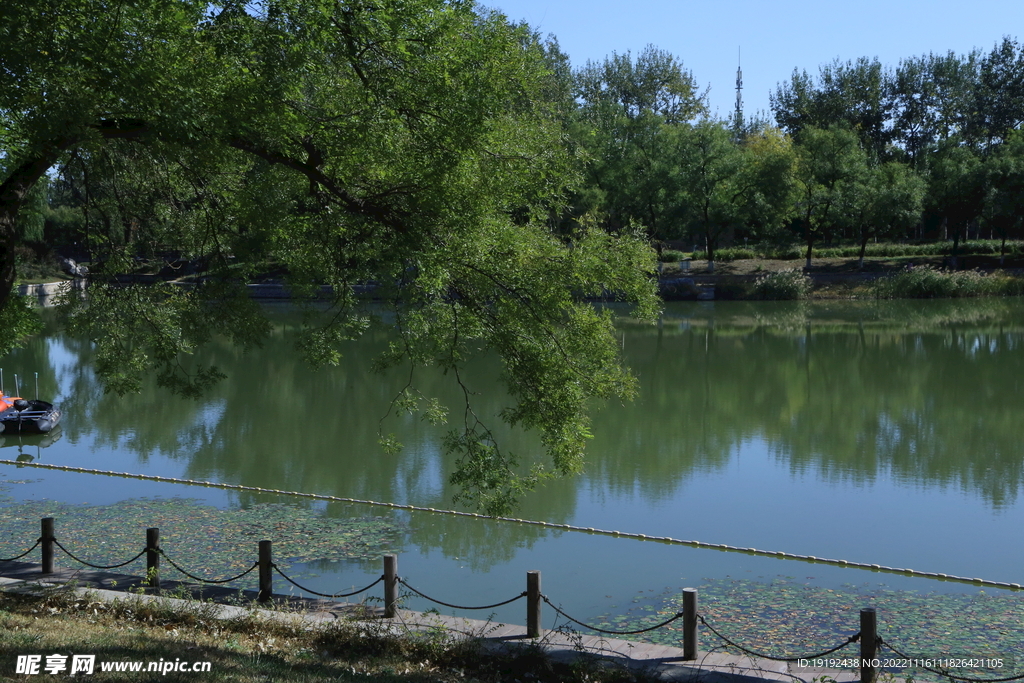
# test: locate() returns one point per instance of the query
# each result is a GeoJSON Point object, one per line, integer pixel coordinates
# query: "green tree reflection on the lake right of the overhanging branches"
{"type": "Point", "coordinates": [925, 397]}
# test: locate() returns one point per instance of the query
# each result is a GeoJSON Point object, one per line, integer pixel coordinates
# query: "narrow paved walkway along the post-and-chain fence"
{"type": "Point", "coordinates": [661, 662]}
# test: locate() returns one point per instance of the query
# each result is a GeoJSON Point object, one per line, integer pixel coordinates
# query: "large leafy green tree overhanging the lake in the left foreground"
{"type": "Point", "coordinates": [407, 144]}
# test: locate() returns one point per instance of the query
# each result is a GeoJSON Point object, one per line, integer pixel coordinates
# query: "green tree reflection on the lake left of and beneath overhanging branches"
{"type": "Point", "coordinates": [277, 423]}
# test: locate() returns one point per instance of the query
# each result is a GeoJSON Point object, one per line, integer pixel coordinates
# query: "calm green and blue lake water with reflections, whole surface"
{"type": "Point", "coordinates": [886, 434]}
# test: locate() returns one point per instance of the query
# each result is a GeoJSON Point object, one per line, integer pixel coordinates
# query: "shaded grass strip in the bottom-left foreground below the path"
{"type": "Point", "coordinates": [252, 649]}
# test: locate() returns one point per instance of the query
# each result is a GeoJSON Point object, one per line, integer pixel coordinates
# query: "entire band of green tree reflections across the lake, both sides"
{"type": "Point", "coordinates": [926, 393]}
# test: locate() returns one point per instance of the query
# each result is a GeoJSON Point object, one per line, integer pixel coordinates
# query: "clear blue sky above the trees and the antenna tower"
{"type": "Point", "coordinates": [776, 37]}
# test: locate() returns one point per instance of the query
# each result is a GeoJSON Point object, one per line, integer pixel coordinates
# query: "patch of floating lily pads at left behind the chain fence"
{"type": "Point", "coordinates": [204, 540]}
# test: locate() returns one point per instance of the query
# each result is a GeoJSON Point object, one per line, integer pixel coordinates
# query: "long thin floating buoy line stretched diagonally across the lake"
{"type": "Point", "coordinates": [567, 528]}
